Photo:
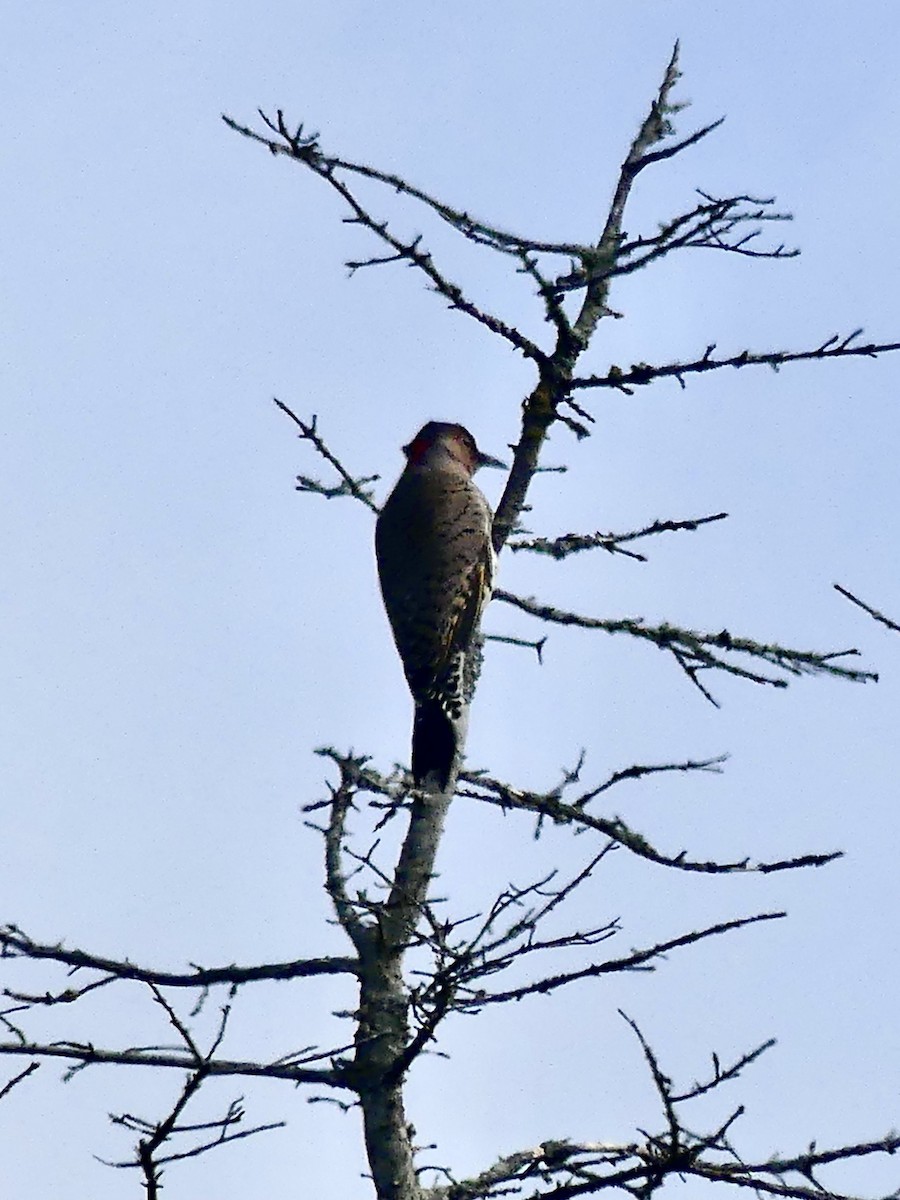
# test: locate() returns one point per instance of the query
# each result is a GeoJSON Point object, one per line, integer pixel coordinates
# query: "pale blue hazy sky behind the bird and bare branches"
{"type": "Point", "coordinates": [182, 629]}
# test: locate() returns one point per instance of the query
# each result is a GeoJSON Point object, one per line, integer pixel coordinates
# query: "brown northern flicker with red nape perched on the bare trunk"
{"type": "Point", "coordinates": [436, 568]}
